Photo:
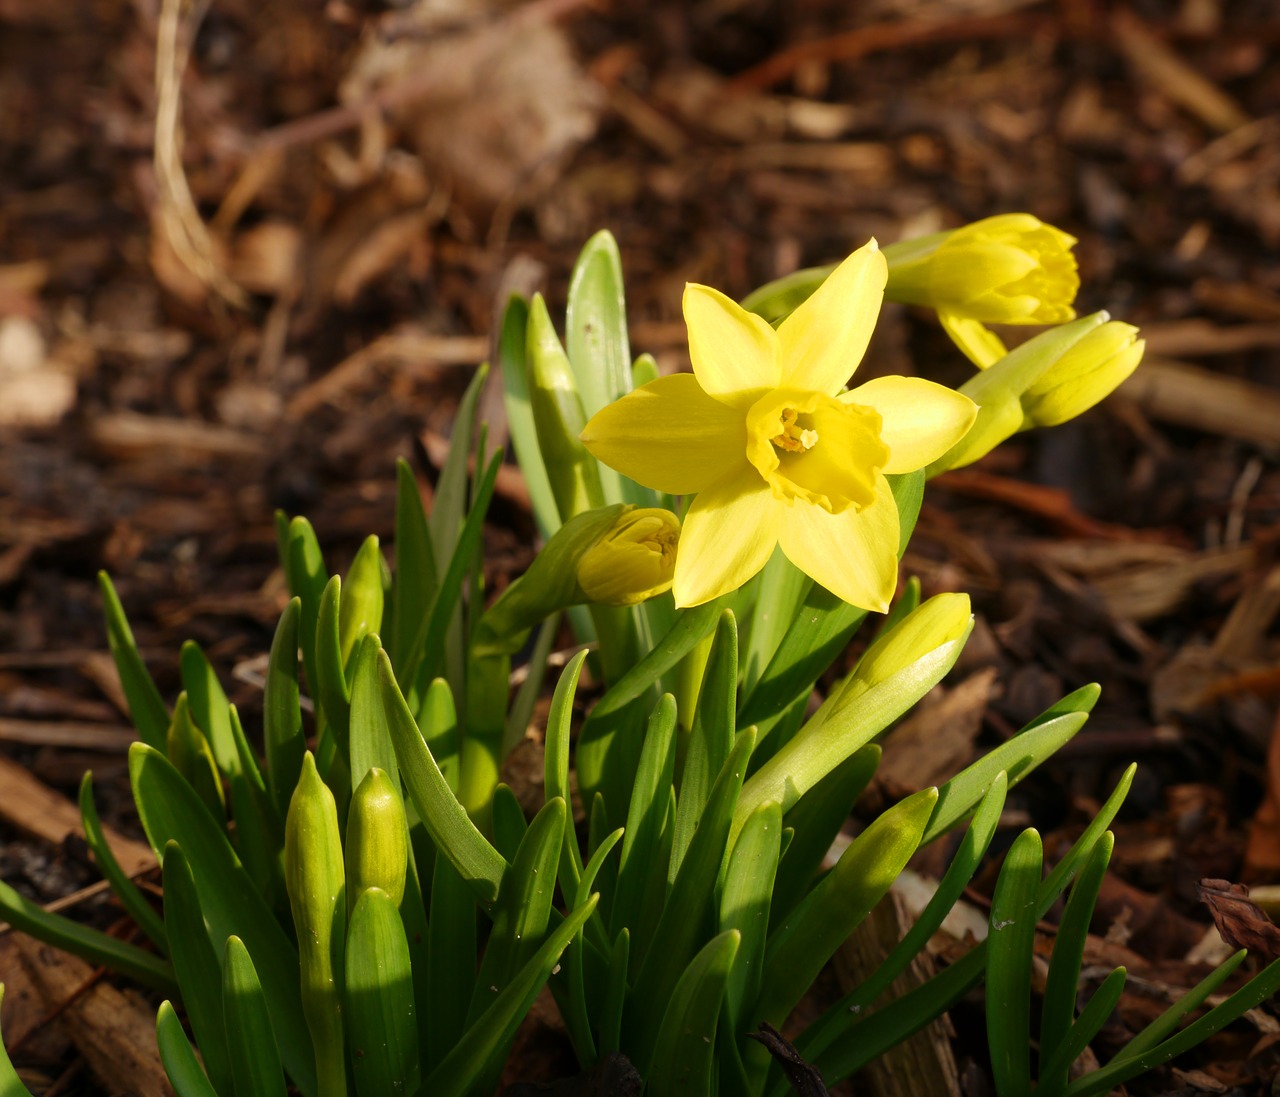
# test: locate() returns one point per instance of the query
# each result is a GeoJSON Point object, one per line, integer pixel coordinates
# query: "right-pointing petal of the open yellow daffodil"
{"type": "Point", "coordinates": [922, 420]}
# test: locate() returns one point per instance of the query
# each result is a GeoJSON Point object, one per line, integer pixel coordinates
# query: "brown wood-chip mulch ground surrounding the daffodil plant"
{"type": "Point", "coordinates": [250, 254]}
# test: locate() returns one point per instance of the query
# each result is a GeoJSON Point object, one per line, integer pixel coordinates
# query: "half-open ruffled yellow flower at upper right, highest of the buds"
{"type": "Point", "coordinates": [1008, 269]}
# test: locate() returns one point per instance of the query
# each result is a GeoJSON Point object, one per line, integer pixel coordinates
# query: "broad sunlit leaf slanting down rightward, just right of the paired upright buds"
{"type": "Point", "coordinates": [454, 834]}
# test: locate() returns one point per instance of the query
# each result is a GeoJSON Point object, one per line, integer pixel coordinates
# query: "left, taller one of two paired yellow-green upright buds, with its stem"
{"type": "Point", "coordinates": [316, 883]}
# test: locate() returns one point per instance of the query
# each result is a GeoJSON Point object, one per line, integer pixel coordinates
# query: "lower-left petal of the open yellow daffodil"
{"type": "Point", "coordinates": [728, 537]}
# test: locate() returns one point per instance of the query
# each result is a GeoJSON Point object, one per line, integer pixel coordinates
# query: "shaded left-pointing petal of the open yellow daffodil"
{"type": "Point", "coordinates": [669, 436]}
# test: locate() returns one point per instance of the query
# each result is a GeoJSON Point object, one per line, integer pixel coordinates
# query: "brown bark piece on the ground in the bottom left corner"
{"type": "Point", "coordinates": [115, 1032]}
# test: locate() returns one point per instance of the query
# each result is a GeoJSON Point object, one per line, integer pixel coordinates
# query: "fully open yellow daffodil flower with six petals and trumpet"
{"type": "Point", "coordinates": [774, 450]}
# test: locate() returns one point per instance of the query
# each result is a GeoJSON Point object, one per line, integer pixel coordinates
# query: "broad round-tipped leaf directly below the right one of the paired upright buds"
{"type": "Point", "coordinates": [382, 1026]}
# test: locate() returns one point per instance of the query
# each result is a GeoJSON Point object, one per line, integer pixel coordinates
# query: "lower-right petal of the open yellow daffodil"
{"type": "Point", "coordinates": [854, 554]}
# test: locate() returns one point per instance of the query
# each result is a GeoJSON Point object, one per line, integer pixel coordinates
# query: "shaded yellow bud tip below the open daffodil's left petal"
{"type": "Point", "coordinates": [633, 561]}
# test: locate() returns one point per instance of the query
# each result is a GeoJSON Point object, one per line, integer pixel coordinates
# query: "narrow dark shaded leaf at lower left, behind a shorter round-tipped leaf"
{"type": "Point", "coordinates": [195, 962]}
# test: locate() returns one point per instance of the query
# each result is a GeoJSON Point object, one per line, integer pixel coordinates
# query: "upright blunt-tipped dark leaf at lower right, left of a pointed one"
{"type": "Point", "coordinates": [1009, 966]}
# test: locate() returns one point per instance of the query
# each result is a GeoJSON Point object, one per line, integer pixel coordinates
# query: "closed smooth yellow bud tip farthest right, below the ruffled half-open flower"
{"type": "Point", "coordinates": [1087, 373]}
